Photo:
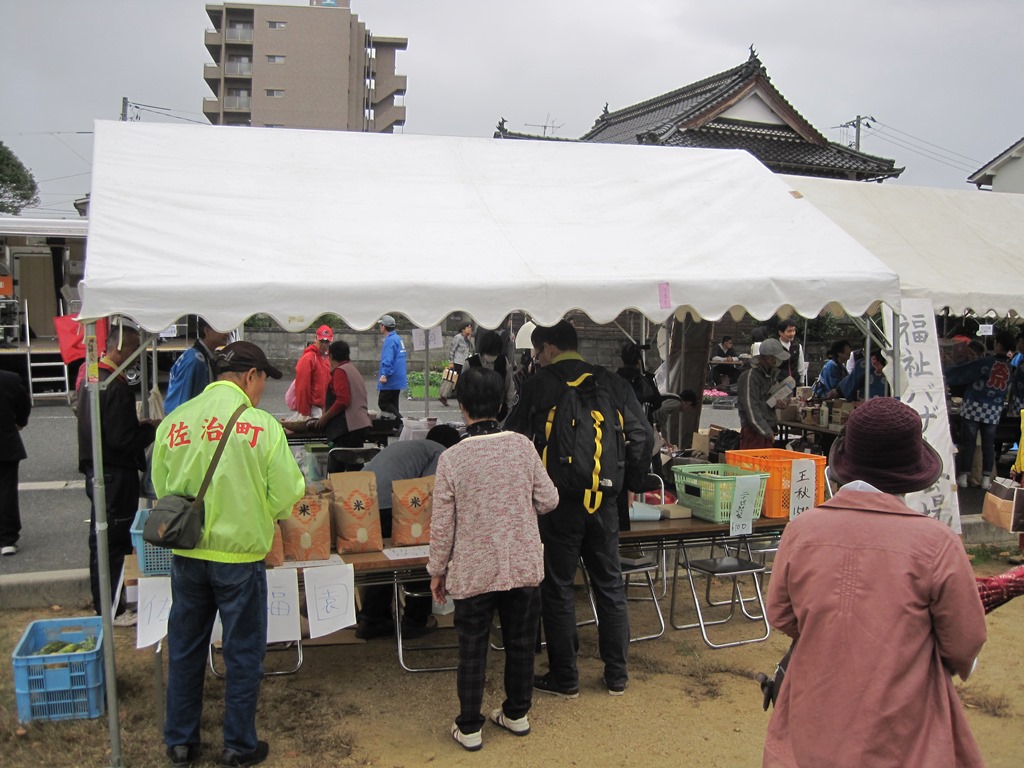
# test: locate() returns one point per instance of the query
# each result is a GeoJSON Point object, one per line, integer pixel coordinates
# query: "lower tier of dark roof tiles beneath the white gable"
{"type": "Point", "coordinates": [785, 151]}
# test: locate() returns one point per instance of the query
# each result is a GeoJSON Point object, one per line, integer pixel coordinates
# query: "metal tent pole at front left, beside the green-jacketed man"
{"type": "Point", "coordinates": [103, 549]}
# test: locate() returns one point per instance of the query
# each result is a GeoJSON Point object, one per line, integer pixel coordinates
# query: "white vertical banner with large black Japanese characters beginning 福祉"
{"type": "Point", "coordinates": [924, 391]}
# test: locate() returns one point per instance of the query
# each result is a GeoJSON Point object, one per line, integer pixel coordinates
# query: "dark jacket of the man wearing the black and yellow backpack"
{"type": "Point", "coordinates": [541, 393]}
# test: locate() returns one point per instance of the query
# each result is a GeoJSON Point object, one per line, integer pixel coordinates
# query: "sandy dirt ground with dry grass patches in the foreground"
{"type": "Point", "coordinates": [353, 706]}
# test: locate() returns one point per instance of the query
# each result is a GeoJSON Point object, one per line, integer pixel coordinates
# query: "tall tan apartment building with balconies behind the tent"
{"type": "Point", "coordinates": [302, 67]}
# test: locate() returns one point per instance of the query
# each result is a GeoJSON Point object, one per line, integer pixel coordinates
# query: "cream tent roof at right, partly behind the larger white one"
{"type": "Point", "coordinates": [962, 249]}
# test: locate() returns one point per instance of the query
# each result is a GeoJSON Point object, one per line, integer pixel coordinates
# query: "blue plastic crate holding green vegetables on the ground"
{"type": "Point", "coordinates": [60, 687]}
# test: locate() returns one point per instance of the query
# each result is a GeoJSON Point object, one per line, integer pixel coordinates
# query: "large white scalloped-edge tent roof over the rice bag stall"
{"type": "Point", "coordinates": [227, 223]}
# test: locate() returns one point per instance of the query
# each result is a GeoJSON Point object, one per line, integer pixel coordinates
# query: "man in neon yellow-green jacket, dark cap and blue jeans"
{"type": "Point", "coordinates": [255, 483]}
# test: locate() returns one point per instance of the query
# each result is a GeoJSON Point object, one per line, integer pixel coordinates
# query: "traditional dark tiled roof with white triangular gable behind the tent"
{"type": "Point", "coordinates": [739, 109]}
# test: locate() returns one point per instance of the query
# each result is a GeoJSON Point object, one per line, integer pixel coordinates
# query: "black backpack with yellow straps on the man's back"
{"type": "Point", "coordinates": [584, 443]}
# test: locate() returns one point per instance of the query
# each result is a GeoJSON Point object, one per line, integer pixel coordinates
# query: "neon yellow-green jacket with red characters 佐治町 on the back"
{"type": "Point", "coordinates": [257, 482]}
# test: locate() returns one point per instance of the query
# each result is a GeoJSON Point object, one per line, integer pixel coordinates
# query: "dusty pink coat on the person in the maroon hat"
{"type": "Point", "coordinates": [885, 605]}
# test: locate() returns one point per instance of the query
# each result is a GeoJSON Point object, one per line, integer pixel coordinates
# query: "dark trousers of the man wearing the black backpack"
{"type": "Point", "coordinates": [570, 533]}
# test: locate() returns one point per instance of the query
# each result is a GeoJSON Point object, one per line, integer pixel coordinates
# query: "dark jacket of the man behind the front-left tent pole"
{"type": "Point", "coordinates": [124, 439]}
